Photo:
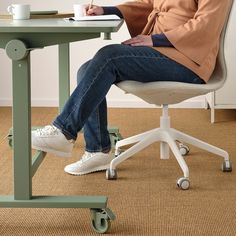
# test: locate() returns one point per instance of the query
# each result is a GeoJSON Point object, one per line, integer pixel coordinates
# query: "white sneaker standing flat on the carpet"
{"type": "Point", "coordinates": [90, 162]}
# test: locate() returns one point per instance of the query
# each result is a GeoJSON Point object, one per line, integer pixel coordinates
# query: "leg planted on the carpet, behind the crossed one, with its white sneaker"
{"type": "Point", "coordinates": [97, 139]}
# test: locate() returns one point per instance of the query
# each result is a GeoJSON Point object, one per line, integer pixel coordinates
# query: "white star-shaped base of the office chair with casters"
{"type": "Point", "coordinates": [167, 137]}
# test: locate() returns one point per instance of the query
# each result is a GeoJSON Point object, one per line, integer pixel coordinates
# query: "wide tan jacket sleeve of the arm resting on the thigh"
{"type": "Point", "coordinates": [197, 37]}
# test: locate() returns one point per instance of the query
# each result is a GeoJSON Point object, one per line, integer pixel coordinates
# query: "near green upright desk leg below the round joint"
{"type": "Point", "coordinates": [21, 130]}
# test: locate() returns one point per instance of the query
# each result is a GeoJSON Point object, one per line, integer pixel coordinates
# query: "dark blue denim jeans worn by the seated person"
{"type": "Point", "coordinates": [86, 108]}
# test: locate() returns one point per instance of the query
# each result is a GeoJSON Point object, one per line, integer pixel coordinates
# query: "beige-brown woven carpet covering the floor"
{"type": "Point", "coordinates": [145, 198]}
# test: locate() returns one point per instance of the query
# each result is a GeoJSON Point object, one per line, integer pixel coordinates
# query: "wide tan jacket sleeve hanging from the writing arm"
{"type": "Point", "coordinates": [136, 15]}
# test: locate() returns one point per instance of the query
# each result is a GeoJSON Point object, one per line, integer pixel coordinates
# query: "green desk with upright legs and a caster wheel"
{"type": "Point", "coordinates": [19, 38]}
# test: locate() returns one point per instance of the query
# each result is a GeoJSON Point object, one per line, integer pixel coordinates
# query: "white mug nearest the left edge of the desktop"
{"type": "Point", "coordinates": [19, 11]}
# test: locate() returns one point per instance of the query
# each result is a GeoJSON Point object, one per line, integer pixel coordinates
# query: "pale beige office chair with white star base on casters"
{"type": "Point", "coordinates": [165, 93]}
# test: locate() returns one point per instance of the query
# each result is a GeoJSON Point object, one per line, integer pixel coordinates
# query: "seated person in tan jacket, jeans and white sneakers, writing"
{"type": "Point", "coordinates": [171, 40]}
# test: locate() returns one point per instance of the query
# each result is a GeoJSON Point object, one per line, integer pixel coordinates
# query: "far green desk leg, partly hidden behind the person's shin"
{"type": "Point", "coordinates": [64, 74]}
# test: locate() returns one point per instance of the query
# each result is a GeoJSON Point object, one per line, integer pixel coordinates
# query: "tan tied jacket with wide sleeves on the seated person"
{"type": "Point", "coordinates": [192, 26]}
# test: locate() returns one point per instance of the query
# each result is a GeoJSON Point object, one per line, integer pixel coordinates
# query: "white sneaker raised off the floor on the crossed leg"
{"type": "Point", "coordinates": [51, 139]}
